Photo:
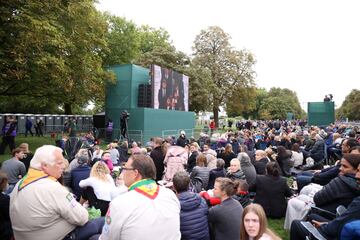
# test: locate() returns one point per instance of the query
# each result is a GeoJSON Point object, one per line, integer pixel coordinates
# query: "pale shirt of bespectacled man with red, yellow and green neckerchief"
{"type": "Point", "coordinates": [133, 216]}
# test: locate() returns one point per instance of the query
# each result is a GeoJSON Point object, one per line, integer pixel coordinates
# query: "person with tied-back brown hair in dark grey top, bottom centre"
{"type": "Point", "coordinates": [225, 218]}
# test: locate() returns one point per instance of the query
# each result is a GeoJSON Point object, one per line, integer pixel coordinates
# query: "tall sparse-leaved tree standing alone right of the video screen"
{"type": "Point", "coordinates": [229, 69]}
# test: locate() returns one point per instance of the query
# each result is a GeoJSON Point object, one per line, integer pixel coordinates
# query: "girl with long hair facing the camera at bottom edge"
{"type": "Point", "coordinates": [254, 224]}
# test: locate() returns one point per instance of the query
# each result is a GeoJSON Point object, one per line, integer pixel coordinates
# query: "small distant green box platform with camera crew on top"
{"type": "Point", "coordinates": [321, 113]}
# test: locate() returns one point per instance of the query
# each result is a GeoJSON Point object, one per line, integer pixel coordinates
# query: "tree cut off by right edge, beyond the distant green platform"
{"type": "Point", "coordinates": [350, 107]}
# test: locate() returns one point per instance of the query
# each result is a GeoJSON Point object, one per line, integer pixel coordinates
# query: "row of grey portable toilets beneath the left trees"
{"type": "Point", "coordinates": [52, 122]}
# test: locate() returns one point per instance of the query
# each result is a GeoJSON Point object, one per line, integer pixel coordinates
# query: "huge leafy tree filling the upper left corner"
{"type": "Point", "coordinates": [50, 52]}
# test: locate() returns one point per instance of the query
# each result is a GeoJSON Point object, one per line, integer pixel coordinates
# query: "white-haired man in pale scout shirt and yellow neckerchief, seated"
{"type": "Point", "coordinates": [41, 208]}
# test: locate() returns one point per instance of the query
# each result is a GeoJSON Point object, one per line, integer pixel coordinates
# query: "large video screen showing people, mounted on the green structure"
{"type": "Point", "coordinates": [170, 89]}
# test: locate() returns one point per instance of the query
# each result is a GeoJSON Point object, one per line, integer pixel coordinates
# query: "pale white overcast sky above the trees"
{"type": "Point", "coordinates": [310, 46]}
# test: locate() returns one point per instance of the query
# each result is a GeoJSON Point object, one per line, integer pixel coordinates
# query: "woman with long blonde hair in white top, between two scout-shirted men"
{"type": "Point", "coordinates": [98, 187]}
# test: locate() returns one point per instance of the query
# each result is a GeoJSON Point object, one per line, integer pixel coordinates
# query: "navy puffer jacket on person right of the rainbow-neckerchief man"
{"type": "Point", "coordinates": [193, 217]}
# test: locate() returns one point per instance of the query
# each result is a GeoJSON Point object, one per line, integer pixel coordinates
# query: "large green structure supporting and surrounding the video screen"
{"type": "Point", "coordinates": [144, 123]}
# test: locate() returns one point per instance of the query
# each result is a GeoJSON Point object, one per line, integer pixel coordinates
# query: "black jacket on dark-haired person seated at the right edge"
{"type": "Point", "coordinates": [339, 191]}
